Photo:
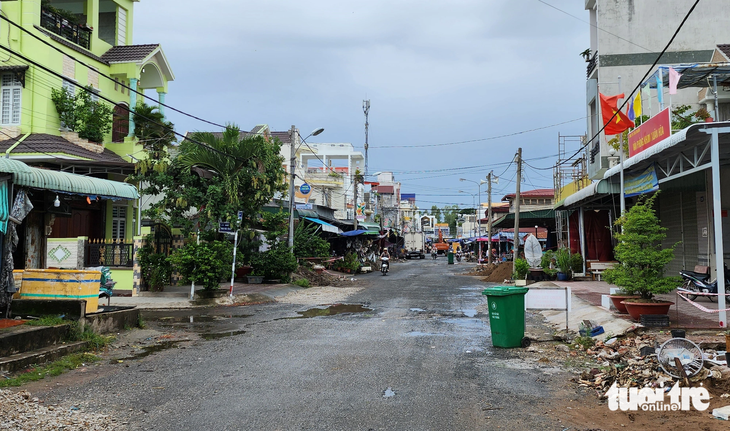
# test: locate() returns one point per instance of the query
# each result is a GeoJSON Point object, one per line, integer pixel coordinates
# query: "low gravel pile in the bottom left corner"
{"type": "Point", "coordinates": [21, 411]}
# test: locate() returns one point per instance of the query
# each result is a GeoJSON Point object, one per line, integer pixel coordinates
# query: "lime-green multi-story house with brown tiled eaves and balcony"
{"type": "Point", "coordinates": [79, 46]}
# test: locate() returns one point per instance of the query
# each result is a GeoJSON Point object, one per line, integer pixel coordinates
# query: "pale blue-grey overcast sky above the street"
{"type": "Point", "coordinates": [435, 72]}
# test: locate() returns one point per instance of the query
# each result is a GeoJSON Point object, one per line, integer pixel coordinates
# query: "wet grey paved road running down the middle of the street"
{"type": "Point", "coordinates": [421, 359]}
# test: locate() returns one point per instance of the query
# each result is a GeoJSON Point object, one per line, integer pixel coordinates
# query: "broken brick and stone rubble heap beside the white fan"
{"type": "Point", "coordinates": [632, 362]}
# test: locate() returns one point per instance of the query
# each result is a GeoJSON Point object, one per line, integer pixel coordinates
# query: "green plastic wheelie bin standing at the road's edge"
{"type": "Point", "coordinates": [507, 315]}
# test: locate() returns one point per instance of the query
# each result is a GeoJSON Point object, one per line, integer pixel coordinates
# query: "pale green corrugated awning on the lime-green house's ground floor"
{"type": "Point", "coordinates": [64, 182]}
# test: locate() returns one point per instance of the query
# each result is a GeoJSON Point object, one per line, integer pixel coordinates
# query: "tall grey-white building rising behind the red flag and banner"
{"type": "Point", "coordinates": [625, 40]}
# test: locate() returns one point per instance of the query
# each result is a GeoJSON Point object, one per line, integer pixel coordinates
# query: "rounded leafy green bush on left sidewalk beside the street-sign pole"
{"type": "Point", "coordinates": [206, 263]}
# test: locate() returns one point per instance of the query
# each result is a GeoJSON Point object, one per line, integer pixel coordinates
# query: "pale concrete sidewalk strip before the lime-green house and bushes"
{"type": "Point", "coordinates": [174, 297]}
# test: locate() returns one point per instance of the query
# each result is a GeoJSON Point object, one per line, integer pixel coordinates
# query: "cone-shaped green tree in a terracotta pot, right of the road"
{"type": "Point", "coordinates": [642, 259]}
